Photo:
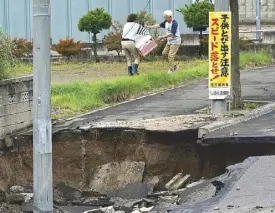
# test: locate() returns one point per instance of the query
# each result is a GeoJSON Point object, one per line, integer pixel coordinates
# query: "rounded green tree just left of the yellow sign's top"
{"type": "Point", "coordinates": [196, 16]}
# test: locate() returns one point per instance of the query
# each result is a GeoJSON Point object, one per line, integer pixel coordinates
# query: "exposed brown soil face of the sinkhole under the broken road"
{"type": "Point", "coordinates": [77, 153]}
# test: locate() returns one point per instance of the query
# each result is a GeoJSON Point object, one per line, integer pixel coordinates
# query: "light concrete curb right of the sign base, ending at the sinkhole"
{"type": "Point", "coordinates": [203, 131]}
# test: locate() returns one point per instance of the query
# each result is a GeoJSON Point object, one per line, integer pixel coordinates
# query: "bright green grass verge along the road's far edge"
{"type": "Point", "coordinates": [80, 97]}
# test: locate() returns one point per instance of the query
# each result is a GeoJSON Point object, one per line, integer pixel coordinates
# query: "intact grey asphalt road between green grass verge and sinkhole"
{"type": "Point", "coordinates": [257, 84]}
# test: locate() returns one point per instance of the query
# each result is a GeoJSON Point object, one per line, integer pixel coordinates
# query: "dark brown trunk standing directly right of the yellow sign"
{"type": "Point", "coordinates": [235, 56]}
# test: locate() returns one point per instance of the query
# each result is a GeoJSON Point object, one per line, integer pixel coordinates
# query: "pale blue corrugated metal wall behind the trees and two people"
{"type": "Point", "coordinates": [16, 15]}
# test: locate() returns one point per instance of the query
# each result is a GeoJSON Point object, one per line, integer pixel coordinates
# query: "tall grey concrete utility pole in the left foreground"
{"type": "Point", "coordinates": [42, 128]}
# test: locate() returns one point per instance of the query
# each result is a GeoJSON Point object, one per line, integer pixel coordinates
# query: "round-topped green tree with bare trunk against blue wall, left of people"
{"type": "Point", "coordinates": [94, 22]}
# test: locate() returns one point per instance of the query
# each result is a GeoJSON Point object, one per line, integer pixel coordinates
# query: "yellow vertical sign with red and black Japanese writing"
{"type": "Point", "coordinates": [219, 55]}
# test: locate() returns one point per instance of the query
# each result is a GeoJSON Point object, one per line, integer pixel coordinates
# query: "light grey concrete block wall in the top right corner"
{"type": "Point", "coordinates": [248, 11]}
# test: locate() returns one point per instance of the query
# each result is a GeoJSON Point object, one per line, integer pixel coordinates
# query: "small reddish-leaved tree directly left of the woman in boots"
{"type": "Point", "coordinates": [113, 40]}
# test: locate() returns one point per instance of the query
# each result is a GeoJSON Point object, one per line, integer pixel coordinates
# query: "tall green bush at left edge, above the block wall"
{"type": "Point", "coordinates": [6, 58]}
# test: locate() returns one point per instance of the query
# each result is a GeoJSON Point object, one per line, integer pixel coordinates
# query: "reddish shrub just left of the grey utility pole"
{"type": "Point", "coordinates": [21, 47]}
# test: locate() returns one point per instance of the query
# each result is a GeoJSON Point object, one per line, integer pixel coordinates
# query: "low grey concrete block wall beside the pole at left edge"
{"type": "Point", "coordinates": [15, 104]}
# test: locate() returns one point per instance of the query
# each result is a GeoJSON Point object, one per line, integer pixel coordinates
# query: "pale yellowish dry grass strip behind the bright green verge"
{"type": "Point", "coordinates": [96, 71]}
